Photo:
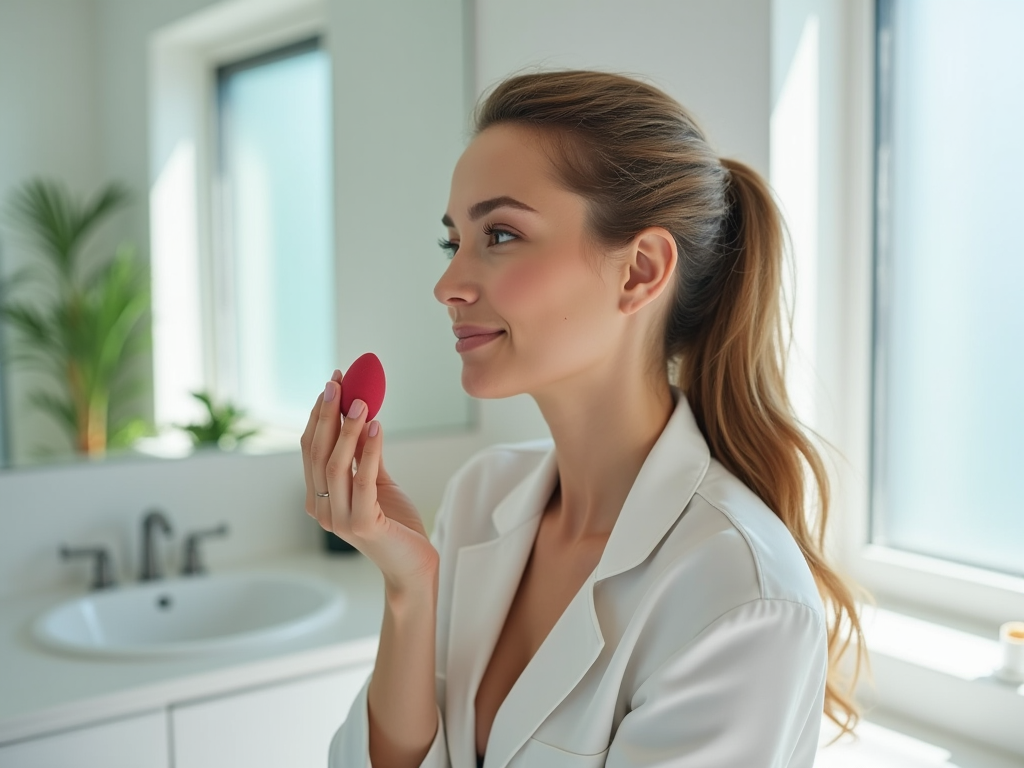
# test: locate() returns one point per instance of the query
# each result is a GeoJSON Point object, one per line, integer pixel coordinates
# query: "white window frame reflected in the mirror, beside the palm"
{"type": "Point", "coordinates": [184, 200]}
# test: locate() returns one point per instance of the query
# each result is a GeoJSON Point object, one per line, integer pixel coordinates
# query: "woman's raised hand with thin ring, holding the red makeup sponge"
{"type": "Point", "coordinates": [366, 507]}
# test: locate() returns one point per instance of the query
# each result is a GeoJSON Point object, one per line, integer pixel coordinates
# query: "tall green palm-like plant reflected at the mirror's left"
{"type": "Point", "coordinates": [84, 328]}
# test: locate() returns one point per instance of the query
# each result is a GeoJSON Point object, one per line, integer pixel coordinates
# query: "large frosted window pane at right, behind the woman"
{"type": "Point", "coordinates": [948, 454]}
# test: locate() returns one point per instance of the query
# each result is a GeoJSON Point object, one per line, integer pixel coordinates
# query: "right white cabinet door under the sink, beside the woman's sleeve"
{"type": "Point", "coordinates": [280, 727]}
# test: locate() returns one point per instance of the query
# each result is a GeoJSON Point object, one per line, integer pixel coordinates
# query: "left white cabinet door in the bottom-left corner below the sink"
{"type": "Point", "coordinates": [134, 743]}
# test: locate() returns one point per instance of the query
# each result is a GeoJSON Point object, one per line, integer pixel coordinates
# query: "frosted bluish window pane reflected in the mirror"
{"type": "Point", "coordinates": [274, 260]}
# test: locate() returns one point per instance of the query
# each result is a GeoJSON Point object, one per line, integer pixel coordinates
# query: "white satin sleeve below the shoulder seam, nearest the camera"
{"type": "Point", "coordinates": [748, 692]}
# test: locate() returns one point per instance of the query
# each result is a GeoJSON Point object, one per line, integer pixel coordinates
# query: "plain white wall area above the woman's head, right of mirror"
{"type": "Point", "coordinates": [713, 56]}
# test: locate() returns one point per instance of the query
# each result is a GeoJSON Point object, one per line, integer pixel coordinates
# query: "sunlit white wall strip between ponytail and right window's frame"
{"type": "Point", "coordinates": [810, 175]}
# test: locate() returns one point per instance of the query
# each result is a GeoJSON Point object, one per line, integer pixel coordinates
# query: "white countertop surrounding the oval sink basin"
{"type": "Point", "coordinates": [44, 692]}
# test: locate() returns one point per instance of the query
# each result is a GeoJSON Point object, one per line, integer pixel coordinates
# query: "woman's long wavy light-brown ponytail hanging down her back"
{"type": "Point", "coordinates": [735, 379]}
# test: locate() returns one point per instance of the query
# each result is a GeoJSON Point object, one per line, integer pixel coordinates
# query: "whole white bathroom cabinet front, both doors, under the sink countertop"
{"type": "Point", "coordinates": [283, 724]}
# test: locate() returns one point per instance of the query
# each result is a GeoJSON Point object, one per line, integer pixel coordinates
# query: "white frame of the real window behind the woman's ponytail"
{"type": "Point", "coordinates": [952, 593]}
